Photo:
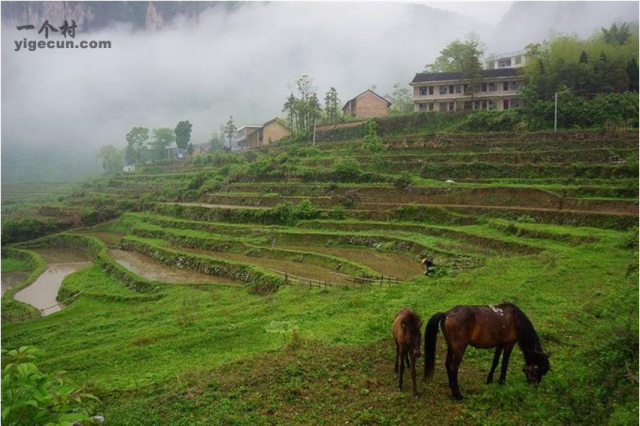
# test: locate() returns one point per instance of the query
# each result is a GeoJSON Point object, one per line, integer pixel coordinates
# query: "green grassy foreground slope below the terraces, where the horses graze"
{"type": "Point", "coordinates": [206, 354]}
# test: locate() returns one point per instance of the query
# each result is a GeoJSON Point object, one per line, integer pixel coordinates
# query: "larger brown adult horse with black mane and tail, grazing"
{"type": "Point", "coordinates": [494, 326]}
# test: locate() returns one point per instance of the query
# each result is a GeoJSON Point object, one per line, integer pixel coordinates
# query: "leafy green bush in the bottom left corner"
{"type": "Point", "coordinates": [32, 397]}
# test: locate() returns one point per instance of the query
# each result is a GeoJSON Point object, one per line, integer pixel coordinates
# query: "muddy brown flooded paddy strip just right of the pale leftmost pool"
{"type": "Point", "coordinates": [148, 268]}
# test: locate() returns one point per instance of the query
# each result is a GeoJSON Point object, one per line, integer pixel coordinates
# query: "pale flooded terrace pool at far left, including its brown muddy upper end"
{"type": "Point", "coordinates": [43, 292]}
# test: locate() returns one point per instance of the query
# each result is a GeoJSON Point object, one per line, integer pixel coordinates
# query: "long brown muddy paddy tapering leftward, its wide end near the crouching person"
{"type": "Point", "coordinates": [389, 264]}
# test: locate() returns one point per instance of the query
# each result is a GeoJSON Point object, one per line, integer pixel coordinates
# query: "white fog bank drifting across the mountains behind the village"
{"type": "Point", "coordinates": [239, 63]}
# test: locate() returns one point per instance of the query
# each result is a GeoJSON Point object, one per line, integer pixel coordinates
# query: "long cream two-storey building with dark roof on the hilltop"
{"type": "Point", "coordinates": [448, 91]}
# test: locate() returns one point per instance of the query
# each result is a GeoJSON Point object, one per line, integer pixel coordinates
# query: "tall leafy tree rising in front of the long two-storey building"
{"type": "Point", "coordinates": [463, 57]}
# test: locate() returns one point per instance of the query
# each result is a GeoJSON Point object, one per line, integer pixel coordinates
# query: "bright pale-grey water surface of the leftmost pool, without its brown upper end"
{"type": "Point", "coordinates": [43, 292]}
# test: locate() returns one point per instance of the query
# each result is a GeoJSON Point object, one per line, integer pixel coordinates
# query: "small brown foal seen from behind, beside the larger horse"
{"type": "Point", "coordinates": [407, 334]}
